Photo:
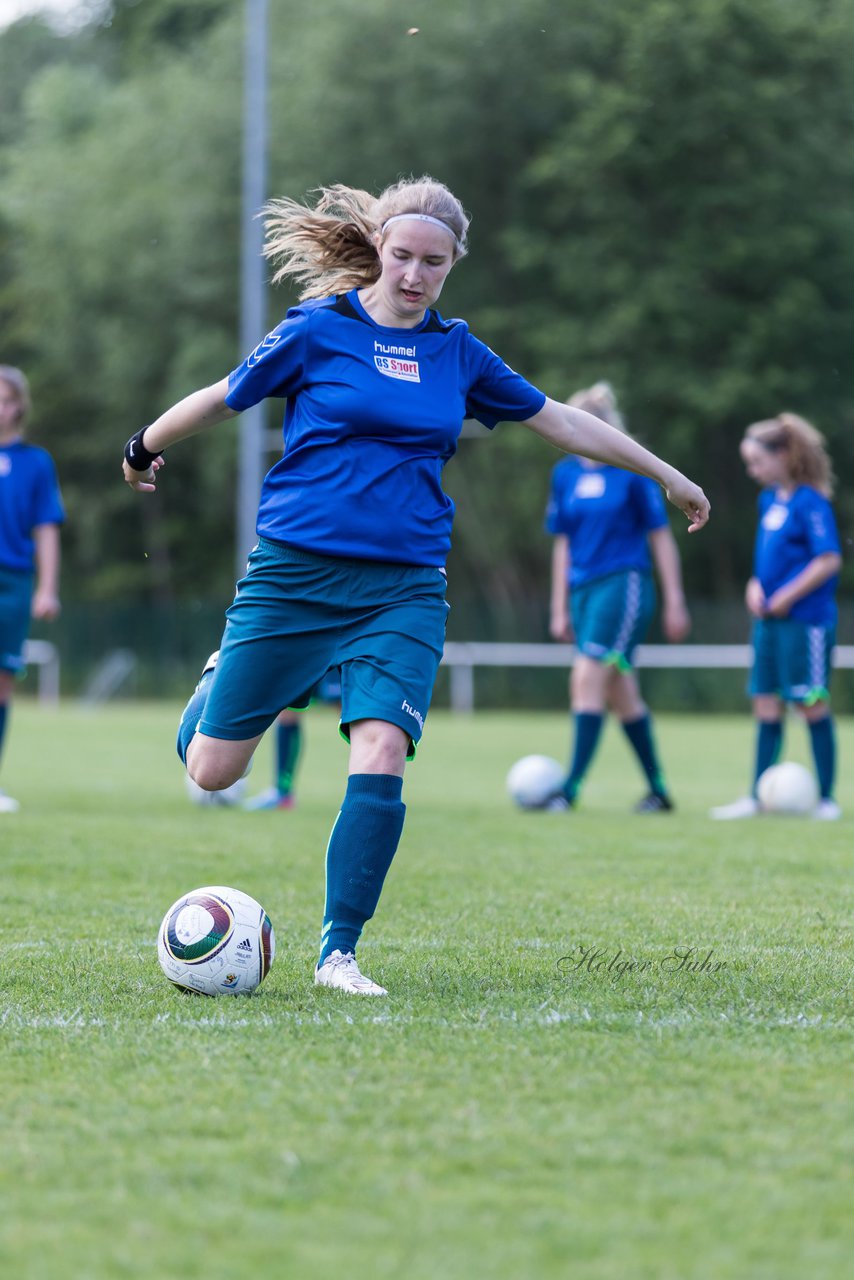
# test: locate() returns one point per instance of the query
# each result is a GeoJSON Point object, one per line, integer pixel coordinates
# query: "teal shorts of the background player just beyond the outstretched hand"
{"type": "Point", "coordinates": [611, 616]}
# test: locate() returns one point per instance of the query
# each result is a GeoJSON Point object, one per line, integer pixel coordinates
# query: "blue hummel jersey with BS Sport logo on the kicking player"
{"type": "Point", "coordinates": [373, 414]}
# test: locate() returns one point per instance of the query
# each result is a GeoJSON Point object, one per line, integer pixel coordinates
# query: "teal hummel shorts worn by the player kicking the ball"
{"type": "Point", "coordinates": [296, 616]}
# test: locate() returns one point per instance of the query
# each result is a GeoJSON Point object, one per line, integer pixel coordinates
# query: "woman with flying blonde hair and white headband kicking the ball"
{"type": "Point", "coordinates": [354, 525]}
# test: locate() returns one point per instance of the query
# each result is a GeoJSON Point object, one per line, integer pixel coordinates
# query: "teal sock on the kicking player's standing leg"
{"type": "Point", "coordinates": [360, 852]}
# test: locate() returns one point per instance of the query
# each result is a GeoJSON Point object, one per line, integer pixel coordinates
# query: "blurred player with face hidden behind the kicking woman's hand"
{"type": "Point", "coordinates": [610, 527]}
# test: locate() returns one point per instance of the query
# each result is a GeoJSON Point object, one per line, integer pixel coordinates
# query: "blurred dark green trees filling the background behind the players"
{"type": "Point", "coordinates": [661, 196]}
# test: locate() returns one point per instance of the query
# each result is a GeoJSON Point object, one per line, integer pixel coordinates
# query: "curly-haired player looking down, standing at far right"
{"type": "Point", "coordinates": [792, 598]}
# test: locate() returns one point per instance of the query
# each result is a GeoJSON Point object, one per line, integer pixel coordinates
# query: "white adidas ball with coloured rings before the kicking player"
{"type": "Point", "coordinates": [217, 941]}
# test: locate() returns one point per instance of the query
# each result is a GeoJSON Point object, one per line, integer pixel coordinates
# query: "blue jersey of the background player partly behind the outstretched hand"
{"type": "Point", "coordinates": [606, 514]}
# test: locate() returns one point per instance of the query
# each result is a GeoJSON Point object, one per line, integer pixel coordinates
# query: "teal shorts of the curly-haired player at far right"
{"type": "Point", "coordinates": [792, 660]}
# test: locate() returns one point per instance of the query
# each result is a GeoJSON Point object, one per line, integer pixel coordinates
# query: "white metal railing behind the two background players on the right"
{"type": "Point", "coordinates": [462, 657]}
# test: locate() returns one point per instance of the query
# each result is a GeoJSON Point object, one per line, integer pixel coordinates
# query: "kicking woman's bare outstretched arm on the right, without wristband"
{"type": "Point", "coordinates": [576, 432]}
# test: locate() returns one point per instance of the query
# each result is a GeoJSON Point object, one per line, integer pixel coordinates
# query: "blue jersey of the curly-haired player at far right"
{"type": "Point", "coordinates": [792, 533]}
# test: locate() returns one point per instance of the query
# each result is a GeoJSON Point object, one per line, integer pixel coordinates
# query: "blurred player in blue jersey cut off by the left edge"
{"type": "Point", "coordinates": [31, 513]}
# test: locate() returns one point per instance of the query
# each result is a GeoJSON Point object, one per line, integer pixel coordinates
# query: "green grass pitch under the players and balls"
{"type": "Point", "coordinates": [522, 1107]}
